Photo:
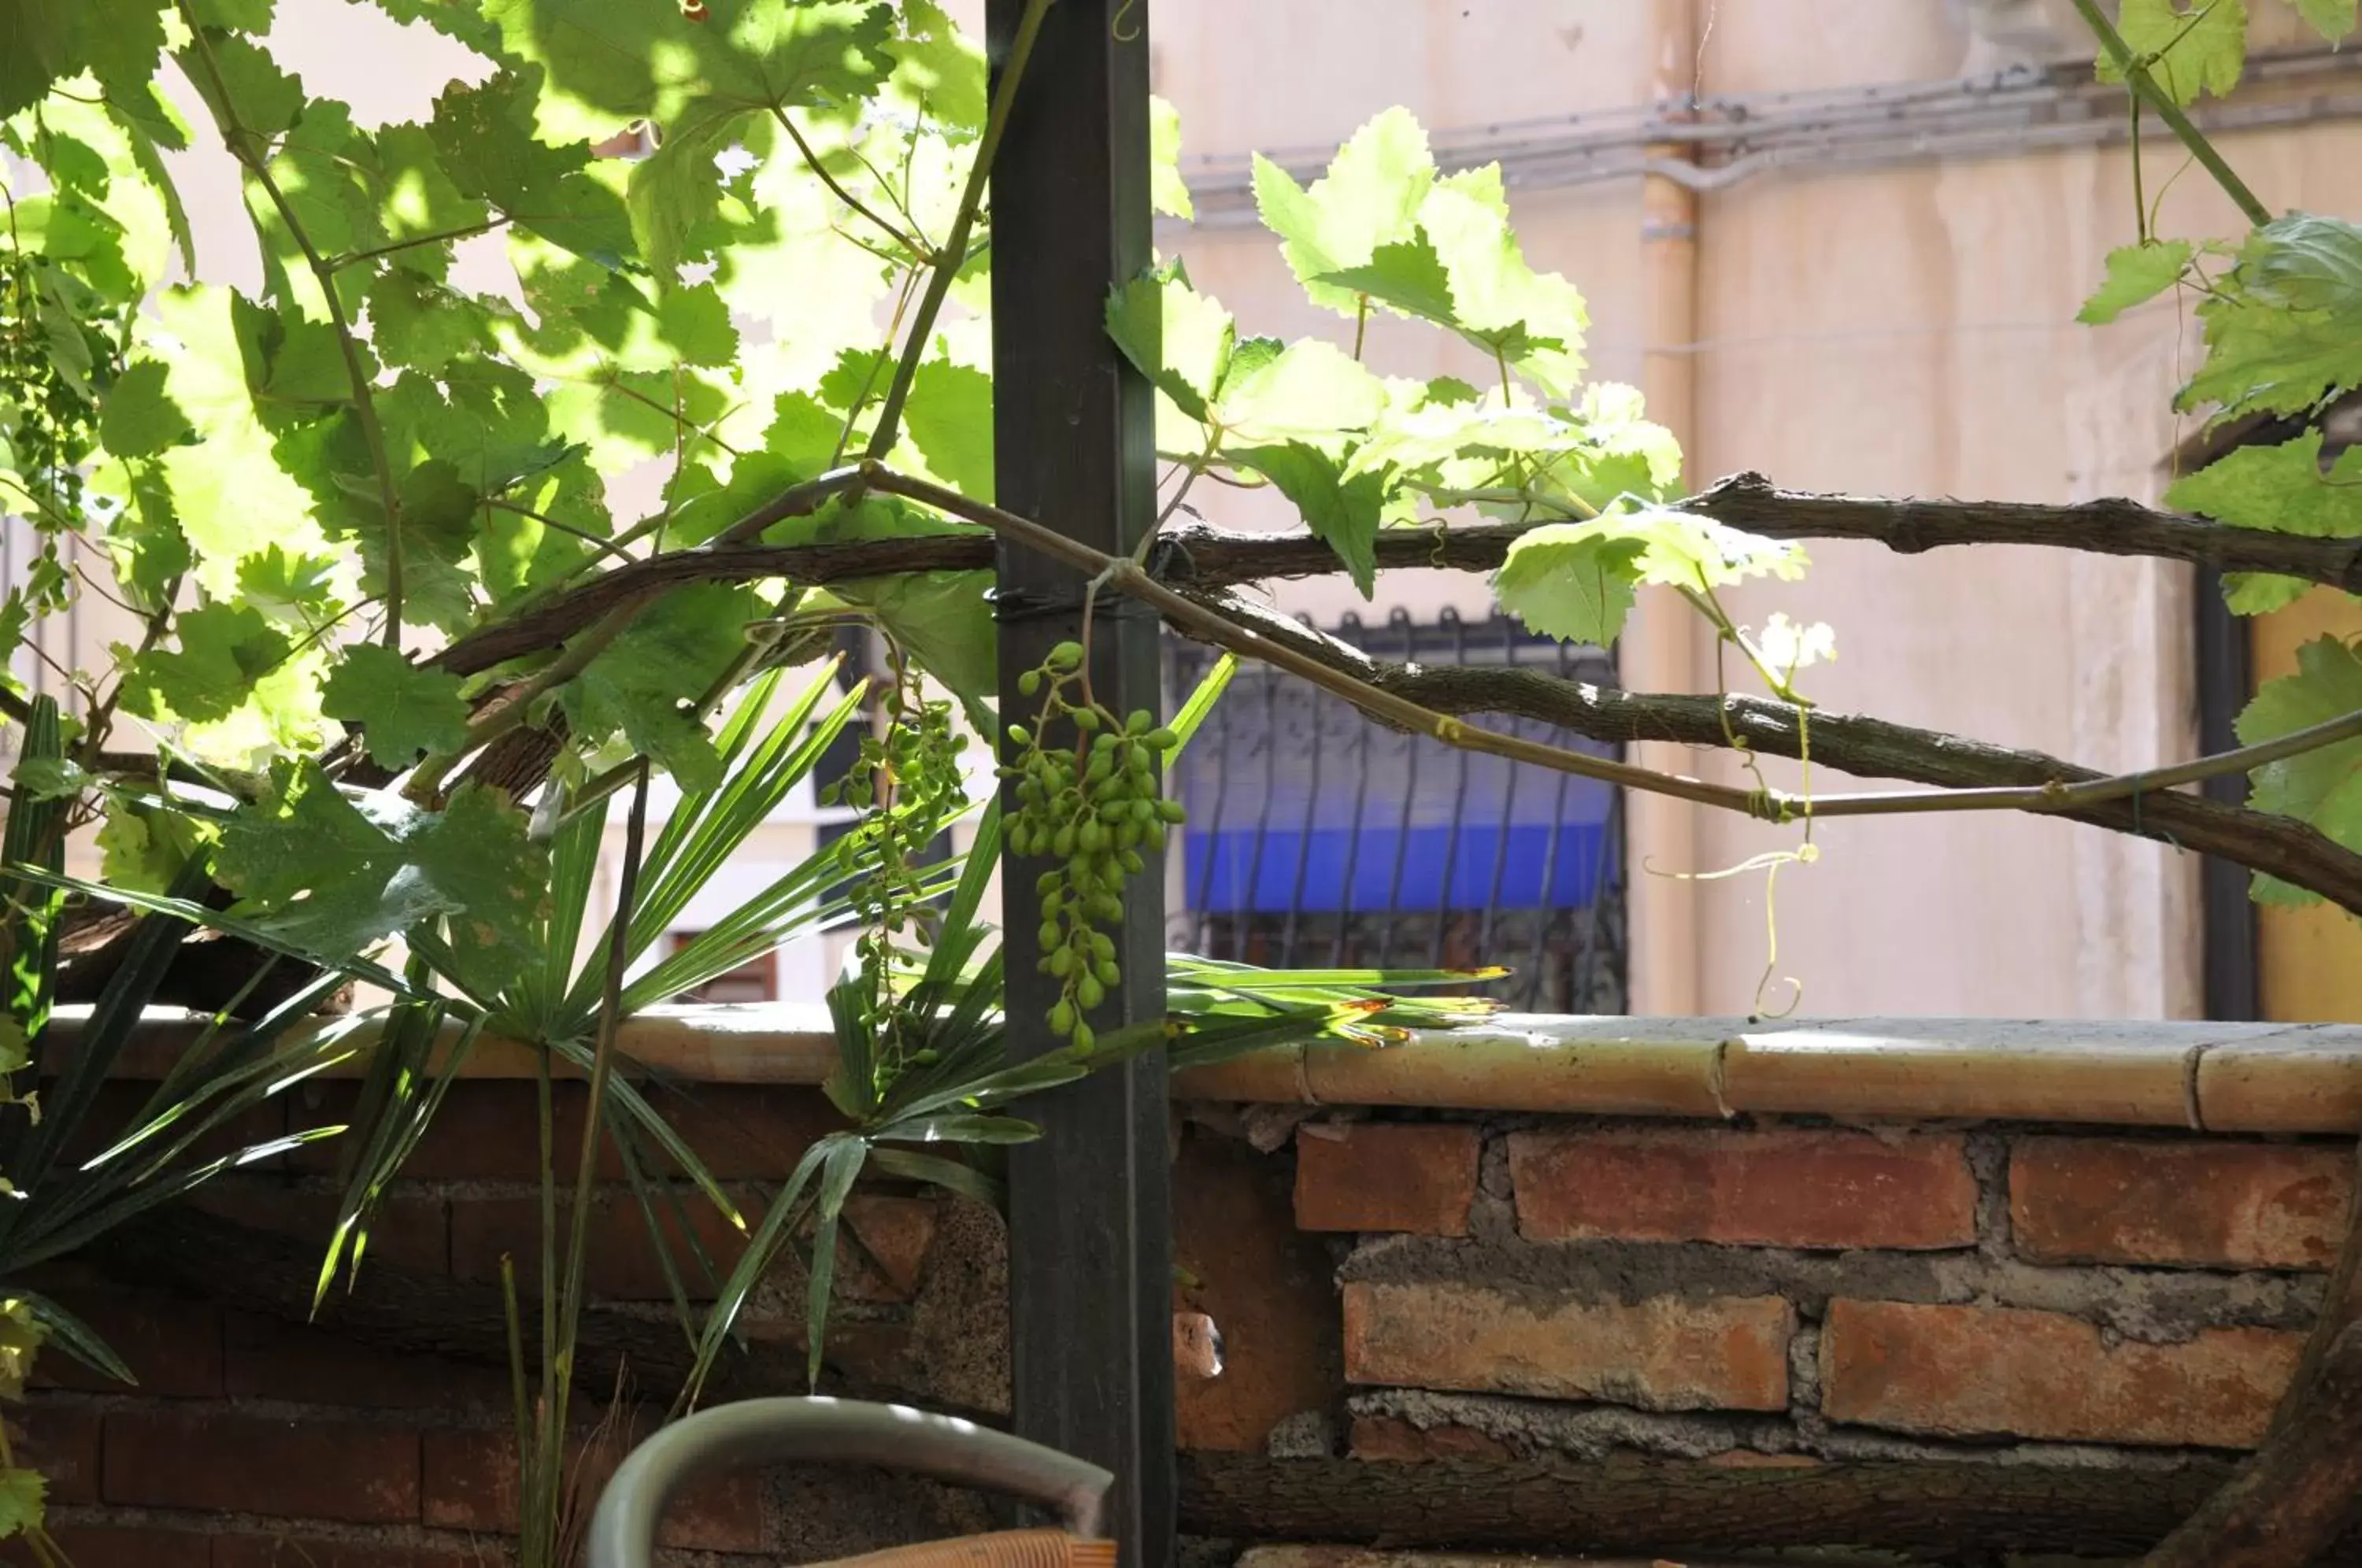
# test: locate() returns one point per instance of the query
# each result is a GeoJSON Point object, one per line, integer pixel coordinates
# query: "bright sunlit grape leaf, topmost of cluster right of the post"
{"type": "Point", "coordinates": [1371, 197]}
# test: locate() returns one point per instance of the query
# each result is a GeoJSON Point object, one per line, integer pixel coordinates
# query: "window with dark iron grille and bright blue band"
{"type": "Point", "coordinates": [1322, 839]}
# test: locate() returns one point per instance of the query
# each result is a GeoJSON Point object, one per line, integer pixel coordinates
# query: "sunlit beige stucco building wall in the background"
{"type": "Point", "coordinates": [1888, 332]}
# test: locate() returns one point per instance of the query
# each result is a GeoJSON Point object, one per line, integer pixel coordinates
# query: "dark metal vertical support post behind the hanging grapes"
{"type": "Point", "coordinates": [1090, 1224]}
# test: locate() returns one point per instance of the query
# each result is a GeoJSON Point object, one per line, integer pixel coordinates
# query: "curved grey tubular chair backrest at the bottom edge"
{"type": "Point", "coordinates": [840, 1432]}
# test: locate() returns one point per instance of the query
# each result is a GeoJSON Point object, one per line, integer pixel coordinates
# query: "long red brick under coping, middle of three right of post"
{"type": "Point", "coordinates": [1766, 1189]}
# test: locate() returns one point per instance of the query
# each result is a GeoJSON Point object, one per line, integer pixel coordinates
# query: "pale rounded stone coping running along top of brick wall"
{"type": "Point", "coordinates": [2247, 1078]}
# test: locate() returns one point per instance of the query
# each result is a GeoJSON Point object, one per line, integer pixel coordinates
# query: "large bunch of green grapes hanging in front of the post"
{"type": "Point", "coordinates": [1097, 814]}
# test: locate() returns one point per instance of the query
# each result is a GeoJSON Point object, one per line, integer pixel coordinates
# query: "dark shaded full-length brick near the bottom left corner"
{"type": "Point", "coordinates": [261, 1465]}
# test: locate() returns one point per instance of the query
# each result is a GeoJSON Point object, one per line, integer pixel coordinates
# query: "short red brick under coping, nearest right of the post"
{"type": "Point", "coordinates": [1416, 1177]}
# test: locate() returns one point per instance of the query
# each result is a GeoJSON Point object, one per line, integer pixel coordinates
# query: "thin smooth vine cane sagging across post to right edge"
{"type": "Point", "coordinates": [1775, 806]}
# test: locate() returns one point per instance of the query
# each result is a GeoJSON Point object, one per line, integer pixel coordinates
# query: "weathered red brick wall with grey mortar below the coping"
{"type": "Point", "coordinates": [1390, 1291]}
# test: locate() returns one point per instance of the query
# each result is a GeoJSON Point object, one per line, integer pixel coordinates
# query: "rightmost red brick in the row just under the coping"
{"type": "Point", "coordinates": [2212, 1206]}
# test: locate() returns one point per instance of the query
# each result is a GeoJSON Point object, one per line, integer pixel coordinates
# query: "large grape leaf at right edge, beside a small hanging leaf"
{"type": "Point", "coordinates": [2285, 325]}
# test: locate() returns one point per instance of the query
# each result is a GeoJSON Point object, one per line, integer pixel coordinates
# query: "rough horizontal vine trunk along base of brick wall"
{"type": "Point", "coordinates": [1671, 1505]}
